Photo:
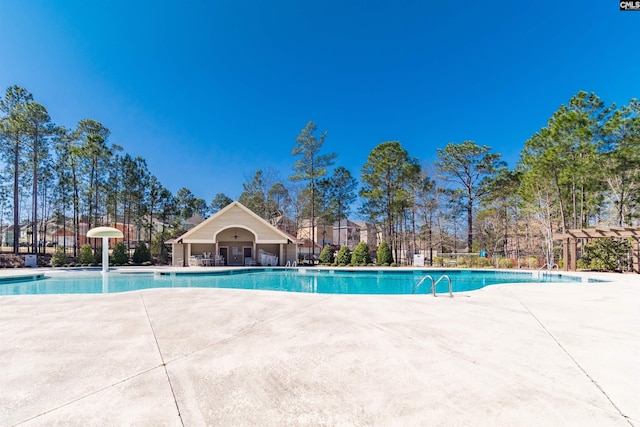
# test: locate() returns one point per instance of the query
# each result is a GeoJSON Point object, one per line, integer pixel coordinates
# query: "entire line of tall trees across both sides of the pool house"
{"type": "Point", "coordinates": [582, 169]}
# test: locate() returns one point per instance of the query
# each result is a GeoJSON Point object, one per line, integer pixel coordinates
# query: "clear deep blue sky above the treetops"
{"type": "Point", "coordinates": [211, 91]}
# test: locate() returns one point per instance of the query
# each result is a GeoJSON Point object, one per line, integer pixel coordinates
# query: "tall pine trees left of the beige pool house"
{"type": "Point", "coordinates": [68, 177]}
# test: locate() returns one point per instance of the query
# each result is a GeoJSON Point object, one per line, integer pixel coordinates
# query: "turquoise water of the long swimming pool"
{"type": "Point", "coordinates": [274, 279]}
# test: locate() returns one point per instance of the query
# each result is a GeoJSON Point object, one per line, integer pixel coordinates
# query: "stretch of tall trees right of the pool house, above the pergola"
{"type": "Point", "coordinates": [581, 170]}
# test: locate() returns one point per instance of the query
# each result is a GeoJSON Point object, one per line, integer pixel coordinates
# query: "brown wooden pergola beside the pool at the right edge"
{"type": "Point", "coordinates": [570, 243]}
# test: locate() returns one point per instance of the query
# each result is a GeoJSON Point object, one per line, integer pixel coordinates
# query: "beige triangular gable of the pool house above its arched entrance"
{"type": "Point", "coordinates": [235, 215]}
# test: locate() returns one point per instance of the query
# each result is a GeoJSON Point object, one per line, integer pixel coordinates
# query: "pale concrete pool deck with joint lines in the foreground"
{"type": "Point", "coordinates": [506, 355]}
